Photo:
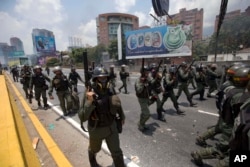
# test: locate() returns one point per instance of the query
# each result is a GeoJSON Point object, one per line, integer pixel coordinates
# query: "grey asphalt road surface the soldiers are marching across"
{"type": "Point", "coordinates": [165, 144]}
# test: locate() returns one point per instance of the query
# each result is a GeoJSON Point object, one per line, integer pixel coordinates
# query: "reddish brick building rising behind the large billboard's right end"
{"type": "Point", "coordinates": [192, 17]}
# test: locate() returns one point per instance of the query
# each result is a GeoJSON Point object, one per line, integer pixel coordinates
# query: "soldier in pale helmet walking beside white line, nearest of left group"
{"type": "Point", "coordinates": [63, 90]}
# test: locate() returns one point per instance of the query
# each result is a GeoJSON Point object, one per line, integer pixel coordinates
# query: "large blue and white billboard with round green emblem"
{"type": "Point", "coordinates": [163, 41]}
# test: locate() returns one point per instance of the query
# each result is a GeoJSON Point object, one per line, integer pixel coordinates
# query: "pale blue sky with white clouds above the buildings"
{"type": "Point", "coordinates": [77, 18]}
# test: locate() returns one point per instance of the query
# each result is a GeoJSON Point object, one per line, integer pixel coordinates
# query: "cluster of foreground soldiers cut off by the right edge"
{"type": "Point", "coordinates": [232, 127]}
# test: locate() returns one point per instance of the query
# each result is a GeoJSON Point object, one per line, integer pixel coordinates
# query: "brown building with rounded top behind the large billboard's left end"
{"type": "Point", "coordinates": [107, 25]}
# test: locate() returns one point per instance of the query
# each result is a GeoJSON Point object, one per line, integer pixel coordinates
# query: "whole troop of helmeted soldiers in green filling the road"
{"type": "Point", "coordinates": [101, 106]}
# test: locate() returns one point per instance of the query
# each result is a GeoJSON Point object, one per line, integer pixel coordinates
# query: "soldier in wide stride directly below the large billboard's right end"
{"type": "Point", "coordinates": [183, 76]}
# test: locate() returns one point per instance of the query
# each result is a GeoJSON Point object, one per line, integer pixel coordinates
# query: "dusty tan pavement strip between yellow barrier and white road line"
{"type": "Point", "coordinates": [72, 143]}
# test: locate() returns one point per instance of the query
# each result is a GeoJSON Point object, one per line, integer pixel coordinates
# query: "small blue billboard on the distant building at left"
{"type": "Point", "coordinates": [45, 44]}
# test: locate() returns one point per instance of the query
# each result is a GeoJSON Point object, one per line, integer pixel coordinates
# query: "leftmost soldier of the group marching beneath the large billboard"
{"type": "Point", "coordinates": [143, 90]}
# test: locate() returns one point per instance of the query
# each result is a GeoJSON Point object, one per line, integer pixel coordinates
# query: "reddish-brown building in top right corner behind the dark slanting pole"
{"type": "Point", "coordinates": [231, 15]}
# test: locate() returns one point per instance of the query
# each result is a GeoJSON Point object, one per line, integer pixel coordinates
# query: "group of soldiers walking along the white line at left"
{"type": "Point", "coordinates": [66, 87]}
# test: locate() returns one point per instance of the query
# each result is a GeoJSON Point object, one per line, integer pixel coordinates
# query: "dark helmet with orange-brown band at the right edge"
{"type": "Point", "coordinates": [241, 77]}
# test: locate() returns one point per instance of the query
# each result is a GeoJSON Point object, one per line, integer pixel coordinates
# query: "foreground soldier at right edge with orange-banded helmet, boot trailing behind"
{"type": "Point", "coordinates": [229, 112]}
